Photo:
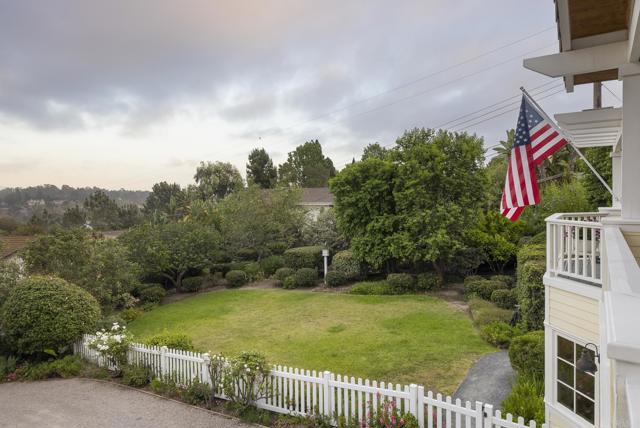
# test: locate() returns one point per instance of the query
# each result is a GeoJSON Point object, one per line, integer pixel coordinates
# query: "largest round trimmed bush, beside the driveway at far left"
{"type": "Point", "coordinates": [45, 312]}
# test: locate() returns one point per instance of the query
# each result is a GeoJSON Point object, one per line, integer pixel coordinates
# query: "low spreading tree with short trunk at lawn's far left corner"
{"type": "Point", "coordinates": [172, 249]}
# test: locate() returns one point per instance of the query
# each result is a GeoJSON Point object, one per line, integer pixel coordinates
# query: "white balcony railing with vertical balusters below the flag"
{"type": "Point", "coordinates": [574, 243]}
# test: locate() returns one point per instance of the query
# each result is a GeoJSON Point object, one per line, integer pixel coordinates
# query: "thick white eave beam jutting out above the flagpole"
{"type": "Point", "coordinates": [582, 61]}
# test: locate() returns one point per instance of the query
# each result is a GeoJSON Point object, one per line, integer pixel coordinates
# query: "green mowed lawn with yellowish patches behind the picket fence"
{"type": "Point", "coordinates": [400, 339]}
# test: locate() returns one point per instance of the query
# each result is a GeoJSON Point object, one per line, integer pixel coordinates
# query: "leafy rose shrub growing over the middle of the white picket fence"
{"type": "Point", "coordinates": [245, 378]}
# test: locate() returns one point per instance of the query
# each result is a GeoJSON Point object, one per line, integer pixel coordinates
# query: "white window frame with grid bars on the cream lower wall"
{"type": "Point", "coordinates": [564, 410]}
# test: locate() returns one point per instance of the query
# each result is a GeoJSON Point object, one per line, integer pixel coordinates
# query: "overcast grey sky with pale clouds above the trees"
{"type": "Point", "coordinates": [125, 93]}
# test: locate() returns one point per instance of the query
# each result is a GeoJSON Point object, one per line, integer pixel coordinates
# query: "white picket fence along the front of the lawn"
{"type": "Point", "coordinates": [303, 392]}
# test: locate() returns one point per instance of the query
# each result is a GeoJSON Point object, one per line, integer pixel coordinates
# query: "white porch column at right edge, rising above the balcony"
{"type": "Point", "coordinates": [630, 192]}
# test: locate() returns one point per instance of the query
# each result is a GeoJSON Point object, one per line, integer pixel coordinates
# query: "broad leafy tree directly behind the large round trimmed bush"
{"type": "Point", "coordinates": [100, 266]}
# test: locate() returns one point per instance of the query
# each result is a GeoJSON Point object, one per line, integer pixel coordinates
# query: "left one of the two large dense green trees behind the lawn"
{"type": "Point", "coordinates": [365, 209]}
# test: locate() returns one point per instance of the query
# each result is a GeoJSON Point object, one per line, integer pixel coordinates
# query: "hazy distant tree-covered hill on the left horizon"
{"type": "Point", "coordinates": [23, 202]}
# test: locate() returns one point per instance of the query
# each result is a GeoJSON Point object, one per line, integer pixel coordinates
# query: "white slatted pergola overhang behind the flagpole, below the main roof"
{"type": "Point", "coordinates": [592, 128]}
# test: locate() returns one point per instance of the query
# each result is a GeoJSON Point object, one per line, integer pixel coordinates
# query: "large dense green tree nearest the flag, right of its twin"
{"type": "Point", "coordinates": [438, 192]}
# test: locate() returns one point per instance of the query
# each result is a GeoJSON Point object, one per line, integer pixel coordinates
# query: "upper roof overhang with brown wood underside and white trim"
{"type": "Point", "coordinates": [596, 38]}
